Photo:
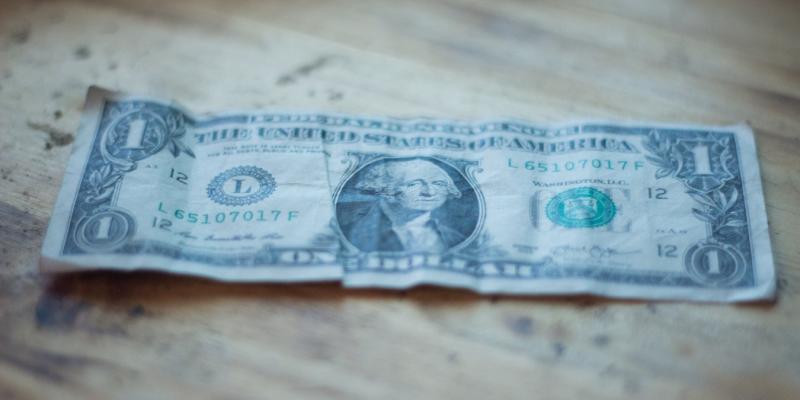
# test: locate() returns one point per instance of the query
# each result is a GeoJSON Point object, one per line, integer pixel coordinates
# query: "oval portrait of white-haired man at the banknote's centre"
{"type": "Point", "coordinates": [417, 204]}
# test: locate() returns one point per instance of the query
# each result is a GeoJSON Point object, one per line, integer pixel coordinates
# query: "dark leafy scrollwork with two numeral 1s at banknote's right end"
{"type": "Point", "coordinates": [706, 165]}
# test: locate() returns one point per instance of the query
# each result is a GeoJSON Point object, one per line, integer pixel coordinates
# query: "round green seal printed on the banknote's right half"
{"type": "Point", "coordinates": [582, 207]}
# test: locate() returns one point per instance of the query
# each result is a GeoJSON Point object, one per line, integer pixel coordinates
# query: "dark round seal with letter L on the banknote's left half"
{"type": "Point", "coordinates": [241, 186]}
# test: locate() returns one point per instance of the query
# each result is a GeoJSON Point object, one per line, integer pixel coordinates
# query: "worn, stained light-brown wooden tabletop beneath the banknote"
{"type": "Point", "coordinates": [143, 335]}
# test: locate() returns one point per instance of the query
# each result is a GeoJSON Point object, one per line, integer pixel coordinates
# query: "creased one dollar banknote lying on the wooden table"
{"type": "Point", "coordinates": [497, 206]}
